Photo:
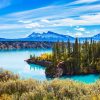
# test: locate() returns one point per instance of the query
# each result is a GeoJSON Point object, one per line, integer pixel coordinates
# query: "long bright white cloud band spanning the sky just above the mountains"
{"type": "Point", "coordinates": [93, 19]}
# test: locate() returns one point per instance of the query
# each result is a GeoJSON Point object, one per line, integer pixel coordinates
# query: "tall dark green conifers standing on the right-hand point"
{"type": "Point", "coordinates": [78, 57]}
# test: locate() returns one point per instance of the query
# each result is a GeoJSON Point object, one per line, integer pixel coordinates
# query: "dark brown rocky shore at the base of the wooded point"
{"type": "Point", "coordinates": [60, 69]}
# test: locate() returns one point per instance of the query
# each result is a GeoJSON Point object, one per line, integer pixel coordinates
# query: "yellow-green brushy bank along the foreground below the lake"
{"type": "Point", "coordinates": [13, 88]}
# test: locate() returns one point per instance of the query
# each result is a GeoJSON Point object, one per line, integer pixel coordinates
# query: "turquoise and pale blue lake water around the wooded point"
{"type": "Point", "coordinates": [13, 60]}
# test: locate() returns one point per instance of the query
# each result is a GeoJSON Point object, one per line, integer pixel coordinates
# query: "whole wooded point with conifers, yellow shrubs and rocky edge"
{"type": "Point", "coordinates": [70, 58]}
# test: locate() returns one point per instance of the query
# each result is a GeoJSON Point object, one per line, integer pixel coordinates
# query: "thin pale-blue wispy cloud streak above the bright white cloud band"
{"type": "Point", "coordinates": [53, 12]}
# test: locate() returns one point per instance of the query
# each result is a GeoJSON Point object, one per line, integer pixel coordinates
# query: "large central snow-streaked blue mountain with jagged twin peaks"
{"type": "Point", "coordinates": [49, 36]}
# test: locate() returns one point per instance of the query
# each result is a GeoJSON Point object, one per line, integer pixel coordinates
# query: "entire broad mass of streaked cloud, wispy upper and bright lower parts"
{"type": "Point", "coordinates": [51, 17]}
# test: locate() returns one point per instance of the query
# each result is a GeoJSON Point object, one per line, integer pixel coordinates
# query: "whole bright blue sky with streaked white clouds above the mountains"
{"type": "Point", "coordinates": [19, 18]}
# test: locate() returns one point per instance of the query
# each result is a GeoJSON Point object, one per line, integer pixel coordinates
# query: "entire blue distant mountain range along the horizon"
{"type": "Point", "coordinates": [51, 37]}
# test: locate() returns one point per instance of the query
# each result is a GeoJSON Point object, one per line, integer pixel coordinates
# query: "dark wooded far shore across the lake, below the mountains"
{"type": "Point", "coordinates": [10, 45]}
